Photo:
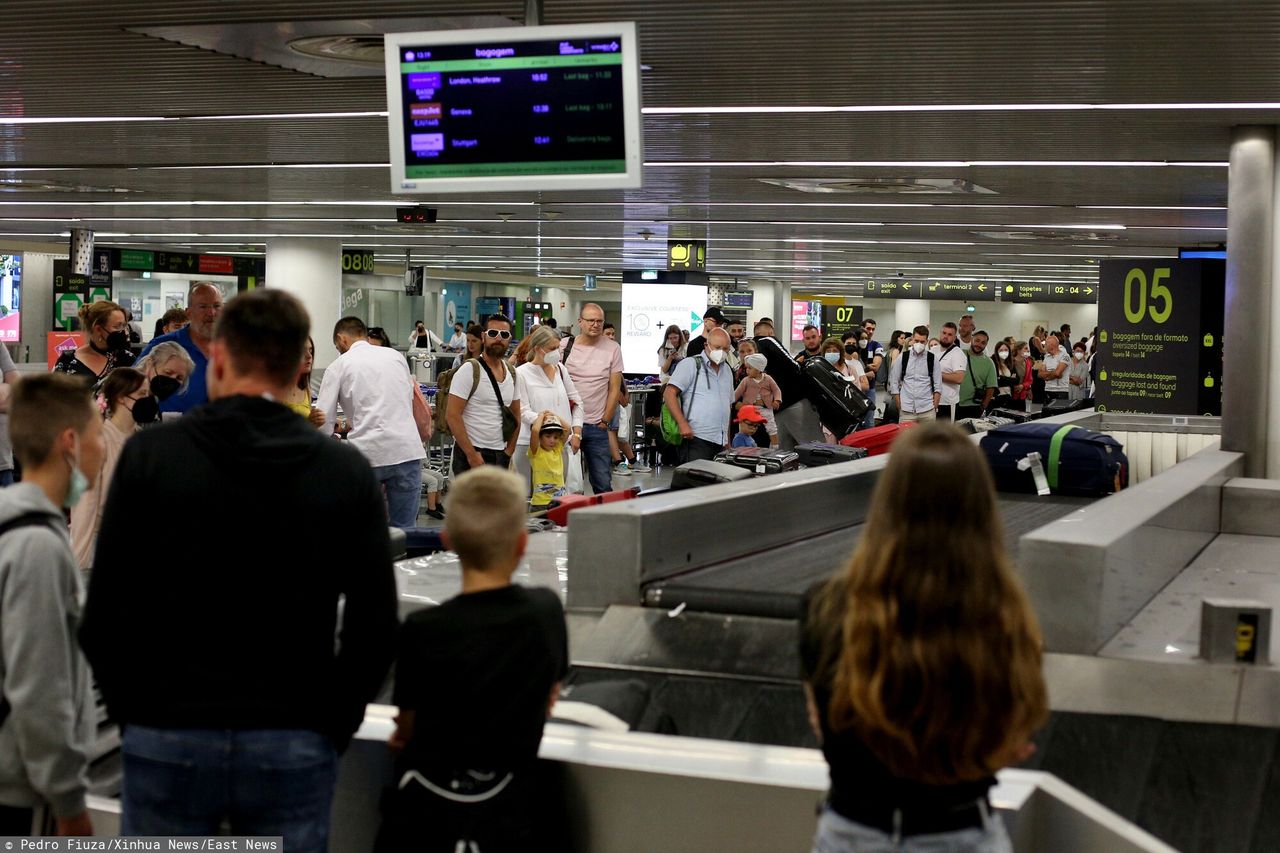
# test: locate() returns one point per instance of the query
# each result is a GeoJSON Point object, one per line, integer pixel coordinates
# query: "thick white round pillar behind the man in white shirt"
{"type": "Point", "coordinates": [310, 270]}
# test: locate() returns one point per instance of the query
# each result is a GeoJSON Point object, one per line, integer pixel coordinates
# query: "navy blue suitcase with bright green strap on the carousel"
{"type": "Point", "coordinates": [1077, 462]}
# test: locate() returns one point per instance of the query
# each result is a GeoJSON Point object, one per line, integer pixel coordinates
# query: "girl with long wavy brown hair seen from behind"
{"type": "Point", "coordinates": [922, 664]}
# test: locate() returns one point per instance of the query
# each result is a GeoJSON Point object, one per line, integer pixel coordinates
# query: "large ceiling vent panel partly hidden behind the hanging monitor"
{"type": "Point", "coordinates": [321, 48]}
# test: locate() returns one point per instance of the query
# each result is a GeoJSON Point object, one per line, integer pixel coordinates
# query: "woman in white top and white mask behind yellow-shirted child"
{"type": "Point", "coordinates": [546, 386]}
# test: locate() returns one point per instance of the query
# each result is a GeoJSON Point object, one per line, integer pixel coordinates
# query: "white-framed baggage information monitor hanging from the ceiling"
{"type": "Point", "coordinates": [520, 108]}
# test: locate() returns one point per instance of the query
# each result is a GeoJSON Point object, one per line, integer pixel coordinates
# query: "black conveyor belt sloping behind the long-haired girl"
{"type": "Point", "coordinates": [772, 583]}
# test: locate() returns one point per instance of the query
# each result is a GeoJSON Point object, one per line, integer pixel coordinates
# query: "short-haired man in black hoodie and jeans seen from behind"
{"type": "Point", "coordinates": [221, 660]}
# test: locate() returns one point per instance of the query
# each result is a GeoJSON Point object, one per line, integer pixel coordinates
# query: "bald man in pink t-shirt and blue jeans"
{"type": "Point", "coordinates": [596, 366]}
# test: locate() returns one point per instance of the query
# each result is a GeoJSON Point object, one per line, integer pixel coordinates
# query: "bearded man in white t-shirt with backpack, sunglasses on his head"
{"type": "Point", "coordinates": [483, 405]}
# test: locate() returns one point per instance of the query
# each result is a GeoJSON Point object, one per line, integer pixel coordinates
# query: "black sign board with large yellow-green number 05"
{"type": "Point", "coordinates": [1160, 337]}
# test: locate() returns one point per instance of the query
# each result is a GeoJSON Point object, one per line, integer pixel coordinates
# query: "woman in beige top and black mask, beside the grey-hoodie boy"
{"type": "Point", "coordinates": [126, 403]}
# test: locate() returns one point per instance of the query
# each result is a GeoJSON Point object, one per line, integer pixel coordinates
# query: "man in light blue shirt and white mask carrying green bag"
{"type": "Point", "coordinates": [701, 396]}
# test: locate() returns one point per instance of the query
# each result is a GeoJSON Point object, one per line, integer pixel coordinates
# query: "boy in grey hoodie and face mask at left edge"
{"type": "Point", "coordinates": [45, 699]}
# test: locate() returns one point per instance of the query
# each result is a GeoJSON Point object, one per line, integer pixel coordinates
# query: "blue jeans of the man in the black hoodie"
{"type": "Point", "coordinates": [188, 782]}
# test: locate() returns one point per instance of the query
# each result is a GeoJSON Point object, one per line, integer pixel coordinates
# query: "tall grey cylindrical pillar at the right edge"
{"type": "Point", "coordinates": [1250, 423]}
